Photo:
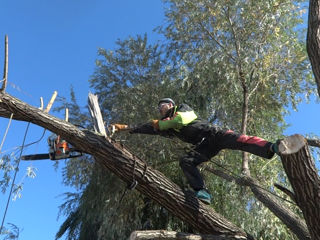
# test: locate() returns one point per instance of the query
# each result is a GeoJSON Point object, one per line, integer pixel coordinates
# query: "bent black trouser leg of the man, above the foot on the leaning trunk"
{"type": "Point", "coordinates": [188, 164]}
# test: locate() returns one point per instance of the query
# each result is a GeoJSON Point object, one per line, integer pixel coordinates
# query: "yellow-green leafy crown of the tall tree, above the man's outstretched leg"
{"type": "Point", "coordinates": [217, 41]}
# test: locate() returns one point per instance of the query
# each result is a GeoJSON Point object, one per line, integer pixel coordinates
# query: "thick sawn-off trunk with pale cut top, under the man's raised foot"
{"type": "Point", "coordinates": [303, 176]}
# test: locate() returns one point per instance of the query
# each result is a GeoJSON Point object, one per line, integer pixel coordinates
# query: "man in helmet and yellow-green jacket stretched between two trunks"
{"type": "Point", "coordinates": [181, 121]}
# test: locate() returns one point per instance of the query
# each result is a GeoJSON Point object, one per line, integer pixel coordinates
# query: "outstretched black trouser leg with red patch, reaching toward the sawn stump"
{"type": "Point", "coordinates": [251, 144]}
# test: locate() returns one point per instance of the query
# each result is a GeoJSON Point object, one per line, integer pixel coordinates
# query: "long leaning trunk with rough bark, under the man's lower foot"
{"type": "Point", "coordinates": [128, 167]}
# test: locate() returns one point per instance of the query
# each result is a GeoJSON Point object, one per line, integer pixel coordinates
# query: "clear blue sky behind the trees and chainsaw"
{"type": "Point", "coordinates": [53, 45]}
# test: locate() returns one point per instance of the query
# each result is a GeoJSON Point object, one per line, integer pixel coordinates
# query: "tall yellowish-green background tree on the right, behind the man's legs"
{"type": "Point", "coordinates": [246, 60]}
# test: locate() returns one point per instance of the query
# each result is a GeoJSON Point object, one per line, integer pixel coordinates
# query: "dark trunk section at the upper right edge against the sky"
{"type": "Point", "coordinates": [313, 39]}
